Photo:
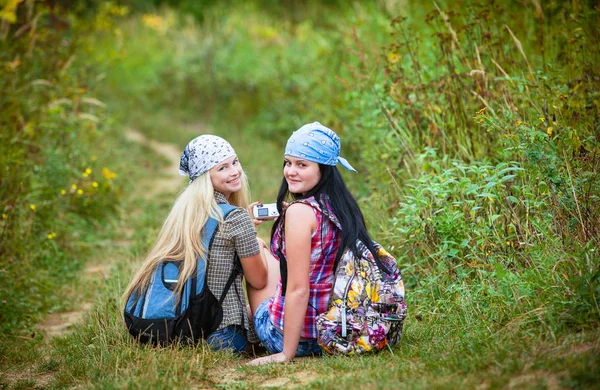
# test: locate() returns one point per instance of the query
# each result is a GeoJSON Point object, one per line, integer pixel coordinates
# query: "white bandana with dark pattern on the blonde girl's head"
{"type": "Point", "coordinates": [202, 154]}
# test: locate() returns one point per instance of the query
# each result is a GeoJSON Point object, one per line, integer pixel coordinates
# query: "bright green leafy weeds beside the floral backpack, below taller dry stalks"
{"type": "Point", "coordinates": [482, 228]}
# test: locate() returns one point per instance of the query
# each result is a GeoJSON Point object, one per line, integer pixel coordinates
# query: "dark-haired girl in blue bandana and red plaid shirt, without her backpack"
{"type": "Point", "coordinates": [307, 240]}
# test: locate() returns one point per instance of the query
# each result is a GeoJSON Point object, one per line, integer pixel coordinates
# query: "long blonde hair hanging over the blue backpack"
{"type": "Point", "coordinates": [180, 238]}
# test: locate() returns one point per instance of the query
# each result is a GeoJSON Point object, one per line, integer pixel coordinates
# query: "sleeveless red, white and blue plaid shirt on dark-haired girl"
{"type": "Point", "coordinates": [325, 243]}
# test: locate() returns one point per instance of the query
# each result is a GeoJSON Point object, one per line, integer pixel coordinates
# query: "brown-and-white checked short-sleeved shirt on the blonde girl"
{"type": "Point", "coordinates": [235, 234]}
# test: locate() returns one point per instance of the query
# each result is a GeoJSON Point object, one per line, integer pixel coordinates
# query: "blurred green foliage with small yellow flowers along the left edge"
{"type": "Point", "coordinates": [56, 180]}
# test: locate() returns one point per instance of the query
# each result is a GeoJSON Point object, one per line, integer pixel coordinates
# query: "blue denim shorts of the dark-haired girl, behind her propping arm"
{"type": "Point", "coordinates": [272, 338]}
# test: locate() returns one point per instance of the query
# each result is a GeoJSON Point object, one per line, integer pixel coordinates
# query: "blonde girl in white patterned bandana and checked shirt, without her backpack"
{"type": "Point", "coordinates": [216, 176]}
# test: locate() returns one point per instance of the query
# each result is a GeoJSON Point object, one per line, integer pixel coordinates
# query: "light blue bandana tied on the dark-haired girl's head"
{"type": "Point", "coordinates": [315, 142]}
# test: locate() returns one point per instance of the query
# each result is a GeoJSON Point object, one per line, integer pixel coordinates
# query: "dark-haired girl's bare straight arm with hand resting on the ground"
{"type": "Point", "coordinates": [300, 224]}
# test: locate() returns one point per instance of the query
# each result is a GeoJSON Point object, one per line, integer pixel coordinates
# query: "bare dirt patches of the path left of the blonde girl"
{"type": "Point", "coordinates": [60, 323]}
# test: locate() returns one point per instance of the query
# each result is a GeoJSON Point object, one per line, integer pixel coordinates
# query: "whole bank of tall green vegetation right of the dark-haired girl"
{"type": "Point", "coordinates": [492, 146]}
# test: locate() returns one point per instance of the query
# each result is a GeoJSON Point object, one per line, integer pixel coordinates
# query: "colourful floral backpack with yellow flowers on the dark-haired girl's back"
{"type": "Point", "coordinates": [367, 309]}
